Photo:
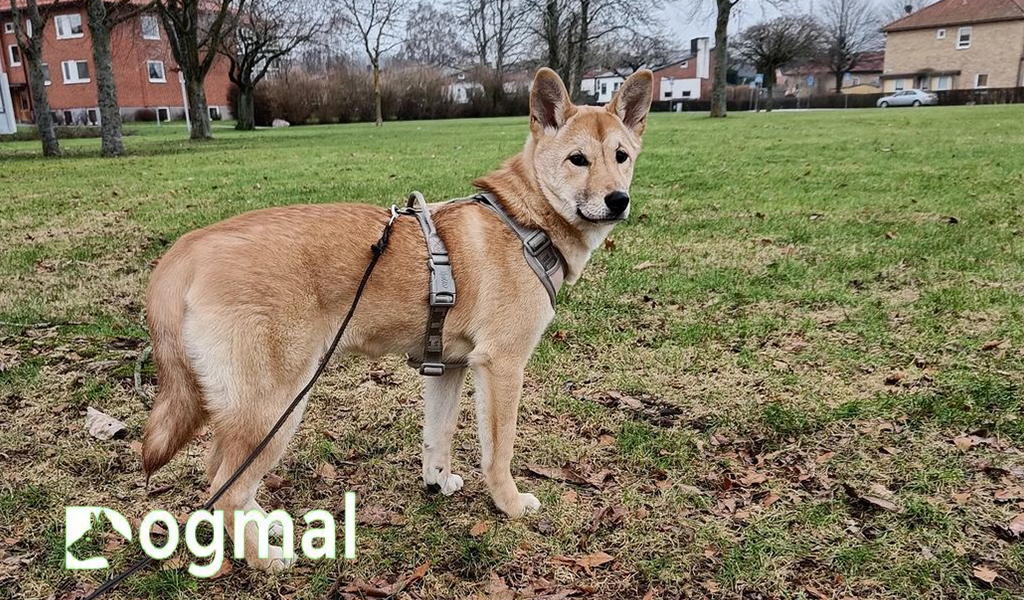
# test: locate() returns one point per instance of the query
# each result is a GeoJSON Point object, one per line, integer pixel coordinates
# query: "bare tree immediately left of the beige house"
{"type": "Point", "coordinates": [850, 28]}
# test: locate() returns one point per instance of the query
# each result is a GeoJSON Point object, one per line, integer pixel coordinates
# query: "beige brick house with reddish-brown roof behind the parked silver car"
{"type": "Point", "coordinates": [957, 45]}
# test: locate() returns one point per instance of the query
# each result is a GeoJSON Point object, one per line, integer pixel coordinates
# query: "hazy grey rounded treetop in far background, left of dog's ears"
{"type": "Point", "coordinates": [433, 37]}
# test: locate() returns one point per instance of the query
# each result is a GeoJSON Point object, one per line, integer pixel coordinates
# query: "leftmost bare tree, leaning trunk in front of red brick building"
{"type": "Point", "coordinates": [30, 45]}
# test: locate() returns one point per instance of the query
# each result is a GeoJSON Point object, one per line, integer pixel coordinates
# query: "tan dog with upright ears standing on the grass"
{"type": "Point", "coordinates": [241, 313]}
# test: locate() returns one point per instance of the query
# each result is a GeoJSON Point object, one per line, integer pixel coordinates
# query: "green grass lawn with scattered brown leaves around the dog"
{"type": "Point", "coordinates": [796, 373]}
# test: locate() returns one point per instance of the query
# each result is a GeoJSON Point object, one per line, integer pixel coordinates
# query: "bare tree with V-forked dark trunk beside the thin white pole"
{"type": "Point", "coordinates": [196, 30]}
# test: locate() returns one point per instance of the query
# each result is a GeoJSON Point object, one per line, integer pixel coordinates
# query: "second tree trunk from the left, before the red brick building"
{"type": "Point", "coordinates": [110, 110]}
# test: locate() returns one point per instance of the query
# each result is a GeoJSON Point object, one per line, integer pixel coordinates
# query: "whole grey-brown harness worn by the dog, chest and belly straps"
{"type": "Point", "coordinates": [541, 255]}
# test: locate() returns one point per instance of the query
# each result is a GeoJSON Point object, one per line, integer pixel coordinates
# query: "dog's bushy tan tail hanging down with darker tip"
{"type": "Point", "coordinates": [178, 411]}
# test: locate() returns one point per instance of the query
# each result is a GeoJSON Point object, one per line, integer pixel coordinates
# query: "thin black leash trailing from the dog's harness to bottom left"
{"type": "Point", "coordinates": [378, 250]}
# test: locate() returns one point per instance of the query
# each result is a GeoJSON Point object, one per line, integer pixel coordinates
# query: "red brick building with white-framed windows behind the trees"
{"type": "Point", "coordinates": [145, 71]}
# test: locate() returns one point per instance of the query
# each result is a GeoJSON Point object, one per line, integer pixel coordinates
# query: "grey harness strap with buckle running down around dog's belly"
{"type": "Point", "coordinates": [442, 297]}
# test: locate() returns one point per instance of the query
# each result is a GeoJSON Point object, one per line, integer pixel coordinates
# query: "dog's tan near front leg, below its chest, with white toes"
{"type": "Point", "coordinates": [499, 388]}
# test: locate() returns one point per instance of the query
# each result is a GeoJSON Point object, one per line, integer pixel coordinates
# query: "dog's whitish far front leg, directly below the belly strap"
{"type": "Point", "coordinates": [441, 399]}
